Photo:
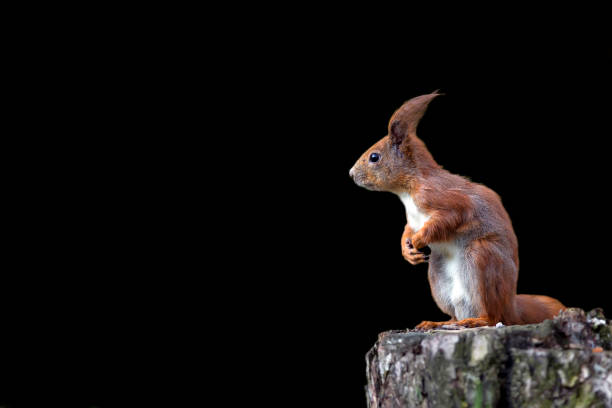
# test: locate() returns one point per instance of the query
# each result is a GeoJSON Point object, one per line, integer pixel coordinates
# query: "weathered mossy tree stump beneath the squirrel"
{"type": "Point", "coordinates": [565, 362]}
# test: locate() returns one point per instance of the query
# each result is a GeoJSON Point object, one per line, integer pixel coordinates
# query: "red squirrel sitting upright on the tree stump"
{"type": "Point", "coordinates": [459, 227]}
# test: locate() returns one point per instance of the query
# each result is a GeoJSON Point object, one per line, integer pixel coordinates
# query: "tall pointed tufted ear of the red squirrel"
{"type": "Point", "coordinates": [405, 120]}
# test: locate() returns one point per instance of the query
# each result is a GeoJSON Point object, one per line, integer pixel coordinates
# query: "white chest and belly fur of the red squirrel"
{"type": "Point", "coordinates": [456, 270]}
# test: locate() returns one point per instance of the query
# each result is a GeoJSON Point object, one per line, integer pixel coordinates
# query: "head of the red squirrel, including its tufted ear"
{"type": "Point", "coordinates": [397, 159]}
